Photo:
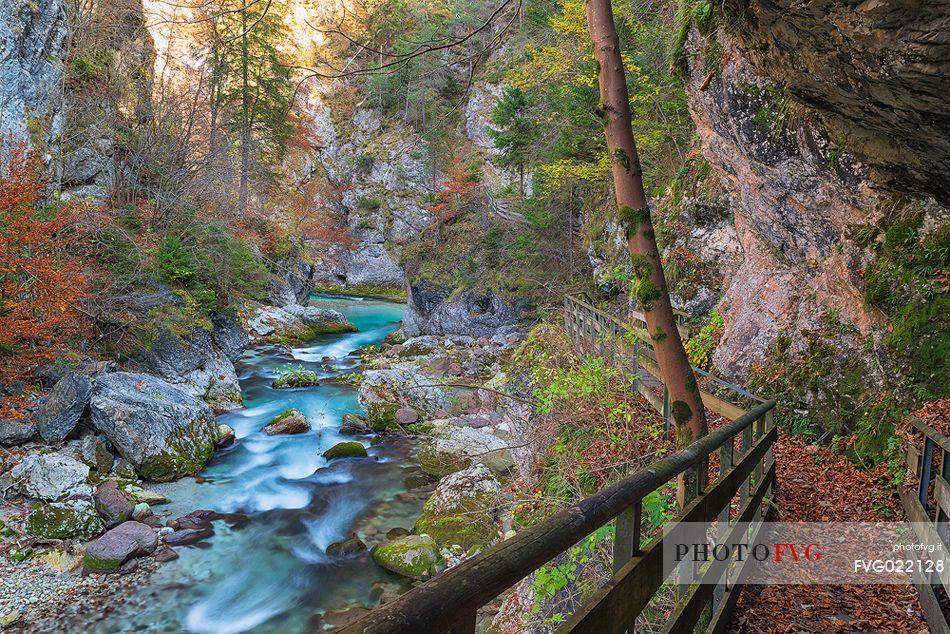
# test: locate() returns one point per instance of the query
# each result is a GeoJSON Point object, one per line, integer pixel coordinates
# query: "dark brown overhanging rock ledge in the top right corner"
{"type": "Point", "coordinates": [876, 70]}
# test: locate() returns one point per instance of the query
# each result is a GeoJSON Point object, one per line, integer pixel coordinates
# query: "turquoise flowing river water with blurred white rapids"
{"type": "Point", "coordinates": [272, 574]}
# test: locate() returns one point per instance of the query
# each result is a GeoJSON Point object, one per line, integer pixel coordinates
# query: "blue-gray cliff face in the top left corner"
{"type": "Point", "coordinates": [33, 45]}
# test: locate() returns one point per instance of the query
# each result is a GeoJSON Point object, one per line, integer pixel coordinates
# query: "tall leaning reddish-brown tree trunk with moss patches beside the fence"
{"type": "Point", "coordinates": [648, 283]}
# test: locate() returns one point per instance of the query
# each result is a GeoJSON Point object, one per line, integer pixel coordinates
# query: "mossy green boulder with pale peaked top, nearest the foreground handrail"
{"type": "Point", "coordinates": [461, 510]}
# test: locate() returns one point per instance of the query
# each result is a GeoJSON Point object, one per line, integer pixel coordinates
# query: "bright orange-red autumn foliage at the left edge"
{"type": "Point", "coordinates": [41, 284]}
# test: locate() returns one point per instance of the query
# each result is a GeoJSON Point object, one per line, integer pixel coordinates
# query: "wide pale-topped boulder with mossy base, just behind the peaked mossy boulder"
{"type": "Point", "coordinates": [454, 448]}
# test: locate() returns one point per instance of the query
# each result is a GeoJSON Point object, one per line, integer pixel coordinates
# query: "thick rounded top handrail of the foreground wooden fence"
{"type": "Point", "coordinates": [440, 603]}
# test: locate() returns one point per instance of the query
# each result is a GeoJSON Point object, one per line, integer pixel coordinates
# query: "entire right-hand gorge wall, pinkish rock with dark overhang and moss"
{"type": "Point", "coordinates": [826, 135]}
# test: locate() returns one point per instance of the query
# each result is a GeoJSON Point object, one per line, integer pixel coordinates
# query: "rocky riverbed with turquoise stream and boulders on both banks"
{"type": "Point", "coordinates": [301, 483]}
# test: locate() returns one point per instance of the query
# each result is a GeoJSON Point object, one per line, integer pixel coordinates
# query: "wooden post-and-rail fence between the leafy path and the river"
{"type": "Point", "coordinates": [746, 473]}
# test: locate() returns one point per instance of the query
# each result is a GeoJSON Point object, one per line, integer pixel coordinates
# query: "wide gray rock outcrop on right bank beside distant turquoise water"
{"type": "Point", "coordinates": [437, 310]}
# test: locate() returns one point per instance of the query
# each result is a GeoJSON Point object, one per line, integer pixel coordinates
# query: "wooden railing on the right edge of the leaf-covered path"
{"type": "Point", "coordinates": [929, 520]}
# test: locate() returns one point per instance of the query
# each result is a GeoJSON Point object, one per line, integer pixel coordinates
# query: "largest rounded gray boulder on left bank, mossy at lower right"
{"type": "Point", "coordinates": [164, 432]}
